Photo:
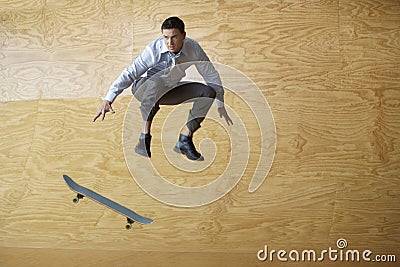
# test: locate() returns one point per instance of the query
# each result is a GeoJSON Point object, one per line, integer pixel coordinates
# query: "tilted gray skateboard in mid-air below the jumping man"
{"type": "Point", "coordinates": [81, 191]}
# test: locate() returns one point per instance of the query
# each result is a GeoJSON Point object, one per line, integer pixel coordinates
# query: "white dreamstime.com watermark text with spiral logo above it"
{"type": "Point", "coordinates": [338, 253]}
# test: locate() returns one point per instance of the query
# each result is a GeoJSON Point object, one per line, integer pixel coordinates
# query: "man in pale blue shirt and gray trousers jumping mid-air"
{"type": "Point", "coordinates": [156, 79]}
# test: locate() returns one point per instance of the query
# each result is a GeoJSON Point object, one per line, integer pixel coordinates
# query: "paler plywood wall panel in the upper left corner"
{"type": "Point", "coordinates": [62, 49]}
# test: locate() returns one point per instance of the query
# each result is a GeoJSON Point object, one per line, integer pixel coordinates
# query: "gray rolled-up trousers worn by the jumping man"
{"type": "Point", "coordinates": [152, 93]}
